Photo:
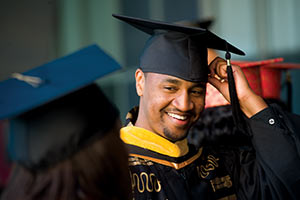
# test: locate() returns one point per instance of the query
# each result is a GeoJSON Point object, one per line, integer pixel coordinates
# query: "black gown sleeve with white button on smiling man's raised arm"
{"type": "Point", "coordinates": [270, 169]}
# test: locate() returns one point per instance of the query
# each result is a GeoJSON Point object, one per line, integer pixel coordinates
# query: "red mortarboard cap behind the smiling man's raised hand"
{"type": "Point", "coordinates": [264, 78]}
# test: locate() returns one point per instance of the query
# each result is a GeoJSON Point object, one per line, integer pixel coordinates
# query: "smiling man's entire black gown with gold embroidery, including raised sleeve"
{"type": "Point", "coordinates": [269, 168]}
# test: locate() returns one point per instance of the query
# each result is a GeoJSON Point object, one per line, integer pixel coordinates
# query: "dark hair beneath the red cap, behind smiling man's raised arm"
{"type": "Point", "coordinates": [216, 127]}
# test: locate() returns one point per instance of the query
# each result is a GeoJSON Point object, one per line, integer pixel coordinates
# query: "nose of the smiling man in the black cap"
{"type": "Point", "coordinates": [183, 102]}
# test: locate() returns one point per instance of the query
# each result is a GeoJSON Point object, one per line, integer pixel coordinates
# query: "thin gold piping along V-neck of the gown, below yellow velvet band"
{"type": "Point", "coordinates": [168, 163]}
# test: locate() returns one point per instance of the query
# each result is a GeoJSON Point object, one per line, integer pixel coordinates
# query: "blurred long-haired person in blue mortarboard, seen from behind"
{"type": "Point", "coordinates": [63, 134]}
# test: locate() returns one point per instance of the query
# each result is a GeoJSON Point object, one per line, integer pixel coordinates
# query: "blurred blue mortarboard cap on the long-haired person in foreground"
{"type": "Point", "coordinates": [55, 109]}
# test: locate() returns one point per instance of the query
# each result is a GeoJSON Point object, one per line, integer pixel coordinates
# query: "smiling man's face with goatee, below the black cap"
{"type": "Point", "coordinates": [169, 106]}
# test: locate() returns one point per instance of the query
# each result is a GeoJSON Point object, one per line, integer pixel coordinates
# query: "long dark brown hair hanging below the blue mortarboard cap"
{"type": "Point", "coordinates": [97, 171]}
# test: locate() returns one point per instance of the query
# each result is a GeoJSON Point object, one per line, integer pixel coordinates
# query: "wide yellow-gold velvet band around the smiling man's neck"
{"type": "Point", "coordinates": [146, 139]}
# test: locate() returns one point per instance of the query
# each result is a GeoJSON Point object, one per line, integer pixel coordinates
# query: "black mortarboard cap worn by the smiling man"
{"type": "Point", "coordinates": [177, 50]}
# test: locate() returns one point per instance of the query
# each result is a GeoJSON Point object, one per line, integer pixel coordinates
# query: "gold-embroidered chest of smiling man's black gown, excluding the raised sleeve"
{"type": "Point", "coordinates": [200, 179]}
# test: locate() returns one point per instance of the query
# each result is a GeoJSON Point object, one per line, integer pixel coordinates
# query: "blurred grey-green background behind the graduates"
{"type": "Point", "coordinates": [37, 31]}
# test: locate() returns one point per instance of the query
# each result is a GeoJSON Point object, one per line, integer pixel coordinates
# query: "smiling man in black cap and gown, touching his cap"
{"type": "Point", "coordinates": [171, 82]}
